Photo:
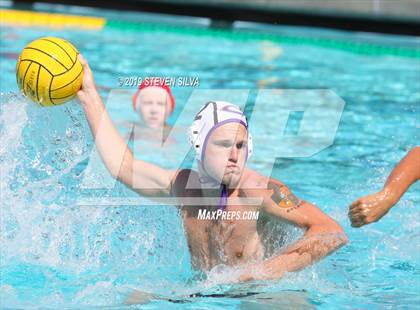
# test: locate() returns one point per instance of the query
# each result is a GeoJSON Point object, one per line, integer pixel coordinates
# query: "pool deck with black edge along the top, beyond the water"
{"type": "Point", "coordinates": [383, 16]}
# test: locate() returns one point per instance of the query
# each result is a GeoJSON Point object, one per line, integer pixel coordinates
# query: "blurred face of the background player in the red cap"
{"type": "Point", "coordinates": [154, 106]}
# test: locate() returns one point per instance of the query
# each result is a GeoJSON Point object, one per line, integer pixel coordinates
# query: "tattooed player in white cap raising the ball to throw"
{"type": "Point", "coordinates": [222, 185]}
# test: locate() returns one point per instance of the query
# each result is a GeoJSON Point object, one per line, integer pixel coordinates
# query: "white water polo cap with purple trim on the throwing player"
{"type": "Point", "coordinates": [213, 115]}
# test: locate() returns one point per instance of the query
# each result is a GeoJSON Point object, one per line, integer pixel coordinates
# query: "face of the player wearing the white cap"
{"type": "Point", "coordinates": [226, 153]}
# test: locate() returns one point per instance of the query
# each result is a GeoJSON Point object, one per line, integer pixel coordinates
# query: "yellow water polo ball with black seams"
{"type": "Point", "coordinates": [49, 72]}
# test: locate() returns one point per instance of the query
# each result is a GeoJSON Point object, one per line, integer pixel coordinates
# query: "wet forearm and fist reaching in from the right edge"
{"type": "Point", "coordinates": [372, 208]}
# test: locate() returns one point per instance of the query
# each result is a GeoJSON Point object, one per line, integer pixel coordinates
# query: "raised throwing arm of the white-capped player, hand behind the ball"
{"type": "Point", "coordinates": [147, 179]}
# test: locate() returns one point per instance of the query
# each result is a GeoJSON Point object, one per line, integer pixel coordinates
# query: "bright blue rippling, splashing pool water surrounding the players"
{"type": "Point", "coordinates": [56, 252]}
